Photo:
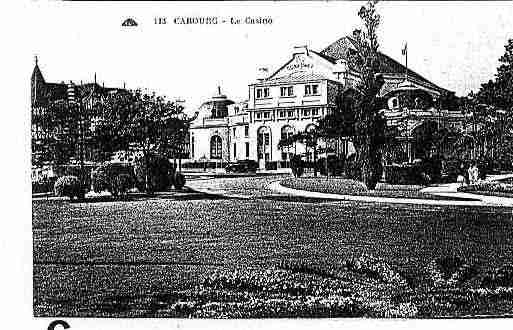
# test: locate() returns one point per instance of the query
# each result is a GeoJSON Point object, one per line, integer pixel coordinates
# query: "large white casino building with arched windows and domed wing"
{"type": "Point", "coordinates": [300, 92]}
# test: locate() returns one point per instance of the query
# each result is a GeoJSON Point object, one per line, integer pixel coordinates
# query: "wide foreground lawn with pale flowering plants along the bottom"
{"type": "Point", "coordinates": [267, 257]}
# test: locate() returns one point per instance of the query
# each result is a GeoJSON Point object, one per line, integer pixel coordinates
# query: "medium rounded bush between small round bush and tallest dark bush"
{"type": "Point", "coordinates": [115, 178]}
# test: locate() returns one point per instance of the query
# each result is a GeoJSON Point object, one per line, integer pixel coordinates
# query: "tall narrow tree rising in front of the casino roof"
{"type": "Point", "coordinates": [360, 118]}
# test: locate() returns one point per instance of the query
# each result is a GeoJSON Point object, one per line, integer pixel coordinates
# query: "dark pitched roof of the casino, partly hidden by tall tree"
{"type": "Point", "coordinates": [341, 48]}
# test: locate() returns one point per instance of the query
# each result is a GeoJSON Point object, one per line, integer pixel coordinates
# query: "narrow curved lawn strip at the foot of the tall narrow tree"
{"type": "Point", "coordinates": [342, 186]}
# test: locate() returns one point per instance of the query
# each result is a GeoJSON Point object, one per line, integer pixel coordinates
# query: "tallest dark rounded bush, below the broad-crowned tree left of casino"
{"type": "Point", "coordinates": [161, 173]}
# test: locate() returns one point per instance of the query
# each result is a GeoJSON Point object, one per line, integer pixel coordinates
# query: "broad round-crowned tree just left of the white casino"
{"type": "Point", "coordinates": [141, 122]}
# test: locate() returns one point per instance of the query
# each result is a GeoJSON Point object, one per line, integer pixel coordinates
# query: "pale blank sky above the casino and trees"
{"type": "Point", "coordinates": [454, 44]}
